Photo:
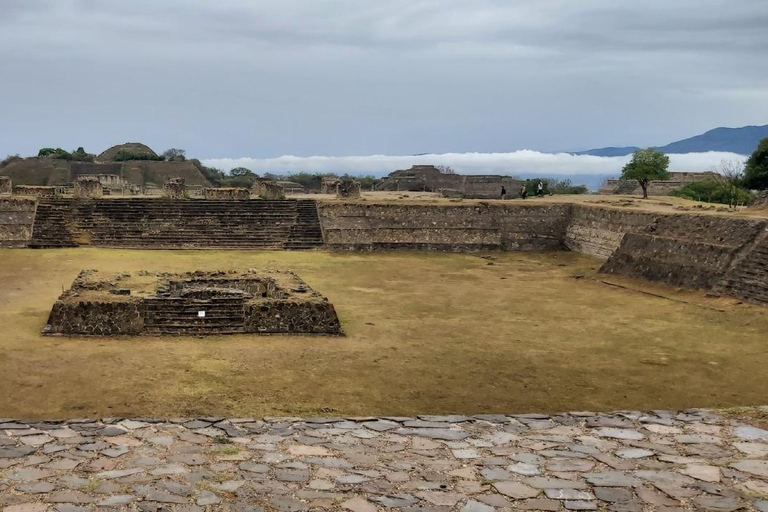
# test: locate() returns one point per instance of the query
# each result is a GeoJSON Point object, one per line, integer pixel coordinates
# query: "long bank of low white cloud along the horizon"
{"type": "Point", "coordinates": [521, 163]}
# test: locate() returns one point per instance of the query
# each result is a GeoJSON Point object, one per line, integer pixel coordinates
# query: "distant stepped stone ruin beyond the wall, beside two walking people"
{"type": "Point", "coordinates": [428, 178]}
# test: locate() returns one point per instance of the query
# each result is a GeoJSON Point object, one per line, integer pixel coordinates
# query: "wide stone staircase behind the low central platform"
{"type": "Point", "coordinates": [182, 224]}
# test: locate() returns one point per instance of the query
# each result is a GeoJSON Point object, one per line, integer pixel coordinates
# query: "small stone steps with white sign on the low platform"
{"type": "Point", "coordinates": [179, 316]}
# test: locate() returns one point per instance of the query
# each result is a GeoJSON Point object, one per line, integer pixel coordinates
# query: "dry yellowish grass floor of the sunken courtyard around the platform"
{"type": "Point", "coordinates": [427, 333]}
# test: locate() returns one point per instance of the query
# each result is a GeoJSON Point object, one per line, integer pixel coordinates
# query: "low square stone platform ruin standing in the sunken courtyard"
{"type": "Point", "coordinates": [193, 303]}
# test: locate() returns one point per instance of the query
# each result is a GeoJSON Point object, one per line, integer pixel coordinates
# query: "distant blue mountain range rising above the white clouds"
{"type": "Point", "coordinates": [742, 141]}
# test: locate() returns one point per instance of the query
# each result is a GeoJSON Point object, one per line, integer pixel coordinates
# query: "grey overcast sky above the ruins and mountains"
{"type": "Point", "coordinates": [265, 78]}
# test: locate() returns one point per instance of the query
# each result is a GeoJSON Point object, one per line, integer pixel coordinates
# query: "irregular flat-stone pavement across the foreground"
{"type": "Point", "coordinates": [626, 461]}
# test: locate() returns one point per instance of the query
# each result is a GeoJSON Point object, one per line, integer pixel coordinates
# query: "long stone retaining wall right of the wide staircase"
{"type": "Point", "coordinates": [444, 228]}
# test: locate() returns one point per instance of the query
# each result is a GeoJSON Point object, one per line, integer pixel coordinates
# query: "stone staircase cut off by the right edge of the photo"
{"type": "Point", "coordinates": [747, 277]}
